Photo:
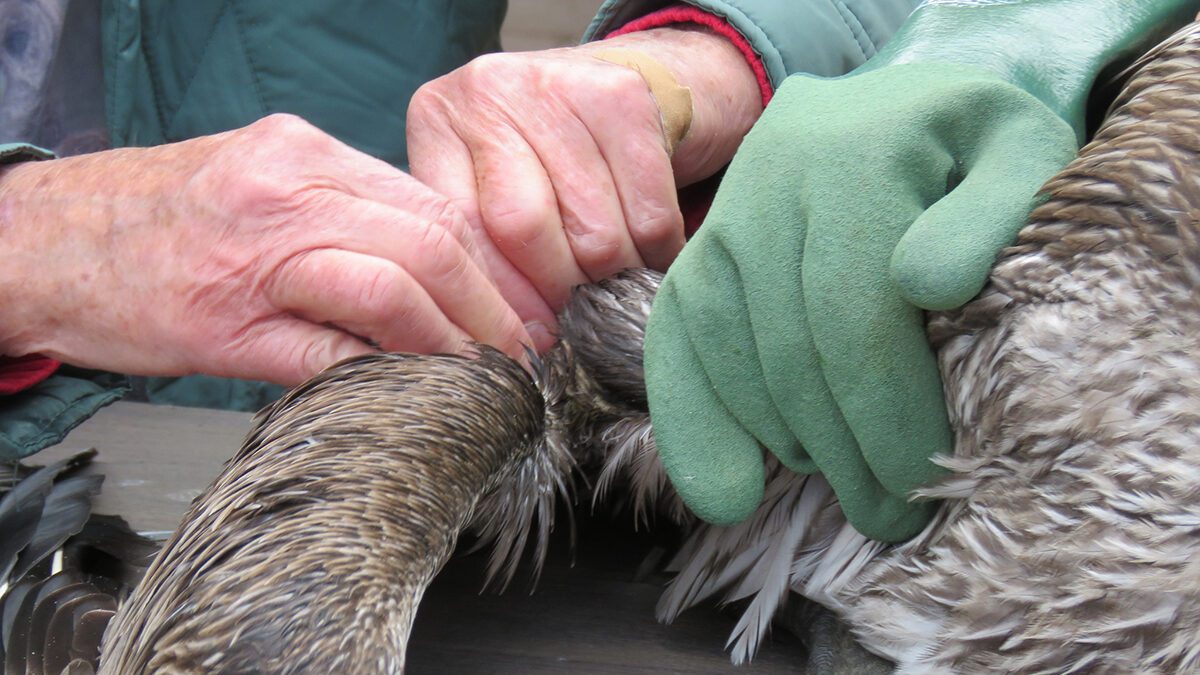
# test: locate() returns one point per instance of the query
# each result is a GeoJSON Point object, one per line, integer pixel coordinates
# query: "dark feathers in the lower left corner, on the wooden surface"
{"type": "Point", "coordinates": [63, 569]}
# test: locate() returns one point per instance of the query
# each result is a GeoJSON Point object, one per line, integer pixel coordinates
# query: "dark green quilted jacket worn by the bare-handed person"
{"type": "Point", "coordinates": [179, 69]}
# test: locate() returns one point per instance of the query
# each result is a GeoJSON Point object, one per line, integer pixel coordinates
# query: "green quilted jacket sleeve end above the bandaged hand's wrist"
{"type": "Point", "coordinates": [823, 38]}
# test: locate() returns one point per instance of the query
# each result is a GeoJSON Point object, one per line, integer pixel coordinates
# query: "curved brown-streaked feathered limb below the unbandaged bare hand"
{"type": "Point", "coordinates": [311, 551]}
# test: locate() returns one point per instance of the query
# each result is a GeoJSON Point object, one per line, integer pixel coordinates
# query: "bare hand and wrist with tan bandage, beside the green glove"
{"type": "Point", "coordinates": [559, 159]}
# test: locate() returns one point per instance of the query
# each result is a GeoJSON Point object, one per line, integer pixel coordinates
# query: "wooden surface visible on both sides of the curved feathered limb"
{"type": "Point", "coordinates": [591, 618]}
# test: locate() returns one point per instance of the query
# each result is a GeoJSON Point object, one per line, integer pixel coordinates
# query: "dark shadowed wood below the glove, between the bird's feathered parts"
{"type": "Point", "coordinates": [591, 618]}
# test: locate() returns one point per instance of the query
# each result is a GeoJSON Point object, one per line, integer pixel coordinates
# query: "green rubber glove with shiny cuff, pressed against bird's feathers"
{"type": "Point", "coordinates": [794, 320]}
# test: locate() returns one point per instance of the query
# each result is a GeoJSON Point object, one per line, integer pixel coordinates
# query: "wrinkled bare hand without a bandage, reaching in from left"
{"type": "Point", "coordinates": [267, 253]}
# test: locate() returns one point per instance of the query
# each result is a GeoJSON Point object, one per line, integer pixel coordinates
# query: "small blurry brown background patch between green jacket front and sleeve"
{"type": "Point", "coordinates": [539, 25]}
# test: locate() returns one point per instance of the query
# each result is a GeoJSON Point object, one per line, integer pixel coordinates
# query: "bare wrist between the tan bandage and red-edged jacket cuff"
{"type": "Point", "coordinates": [727, 99]}
